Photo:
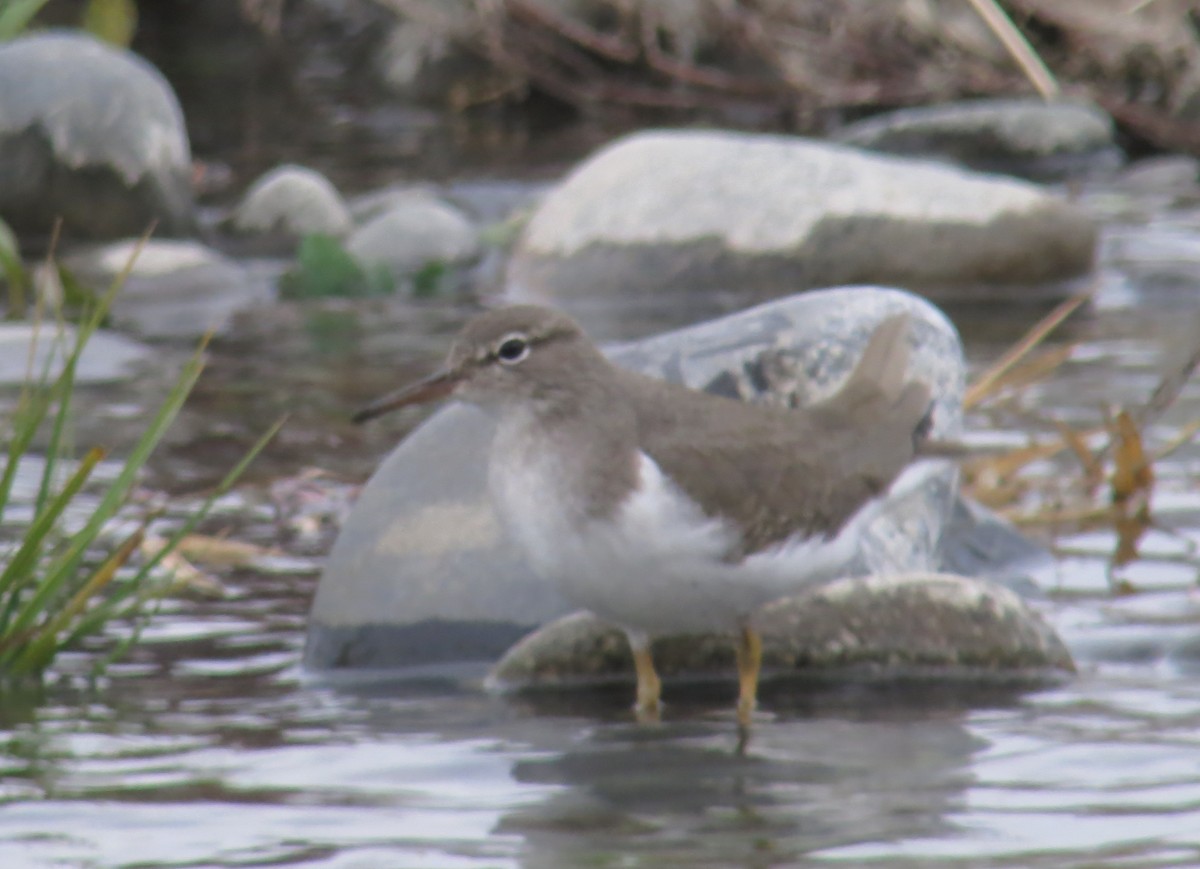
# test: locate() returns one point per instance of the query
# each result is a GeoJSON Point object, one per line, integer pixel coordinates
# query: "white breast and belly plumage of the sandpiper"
{"type": "Point", "coordinates": [658, 565]}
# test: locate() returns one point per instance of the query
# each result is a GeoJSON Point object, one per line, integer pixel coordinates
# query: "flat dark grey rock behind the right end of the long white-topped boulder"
{"type": "Point", "coordinates": [1028, 137]}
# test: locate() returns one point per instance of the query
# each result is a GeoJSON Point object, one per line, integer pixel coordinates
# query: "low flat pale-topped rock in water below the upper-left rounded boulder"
{"type": "Point", "coordinates": [175, 289]}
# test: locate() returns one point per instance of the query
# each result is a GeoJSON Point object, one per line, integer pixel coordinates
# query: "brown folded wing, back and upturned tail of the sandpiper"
{"type": "Point", "coordinates": [773, 471]}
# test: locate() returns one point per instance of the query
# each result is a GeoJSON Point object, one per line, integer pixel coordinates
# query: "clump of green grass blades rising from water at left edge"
{"type": "Point", "coordinates": [61, 586]}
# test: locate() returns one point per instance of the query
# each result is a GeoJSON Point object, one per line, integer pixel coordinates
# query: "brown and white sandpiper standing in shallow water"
{"type": "Point", "coordinates": [668, 511]}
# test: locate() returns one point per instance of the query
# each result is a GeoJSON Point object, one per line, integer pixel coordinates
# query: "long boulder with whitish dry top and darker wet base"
{"type": "Point", "coordinates": [767, 214]}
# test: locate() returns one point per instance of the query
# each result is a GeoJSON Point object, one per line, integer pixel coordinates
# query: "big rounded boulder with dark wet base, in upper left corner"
{"type": "Point", "coordinates": [93, 135]}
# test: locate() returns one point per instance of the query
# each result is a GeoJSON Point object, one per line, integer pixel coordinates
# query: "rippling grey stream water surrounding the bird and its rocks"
{"type": "Point", "coordinates": [209, 748]}
